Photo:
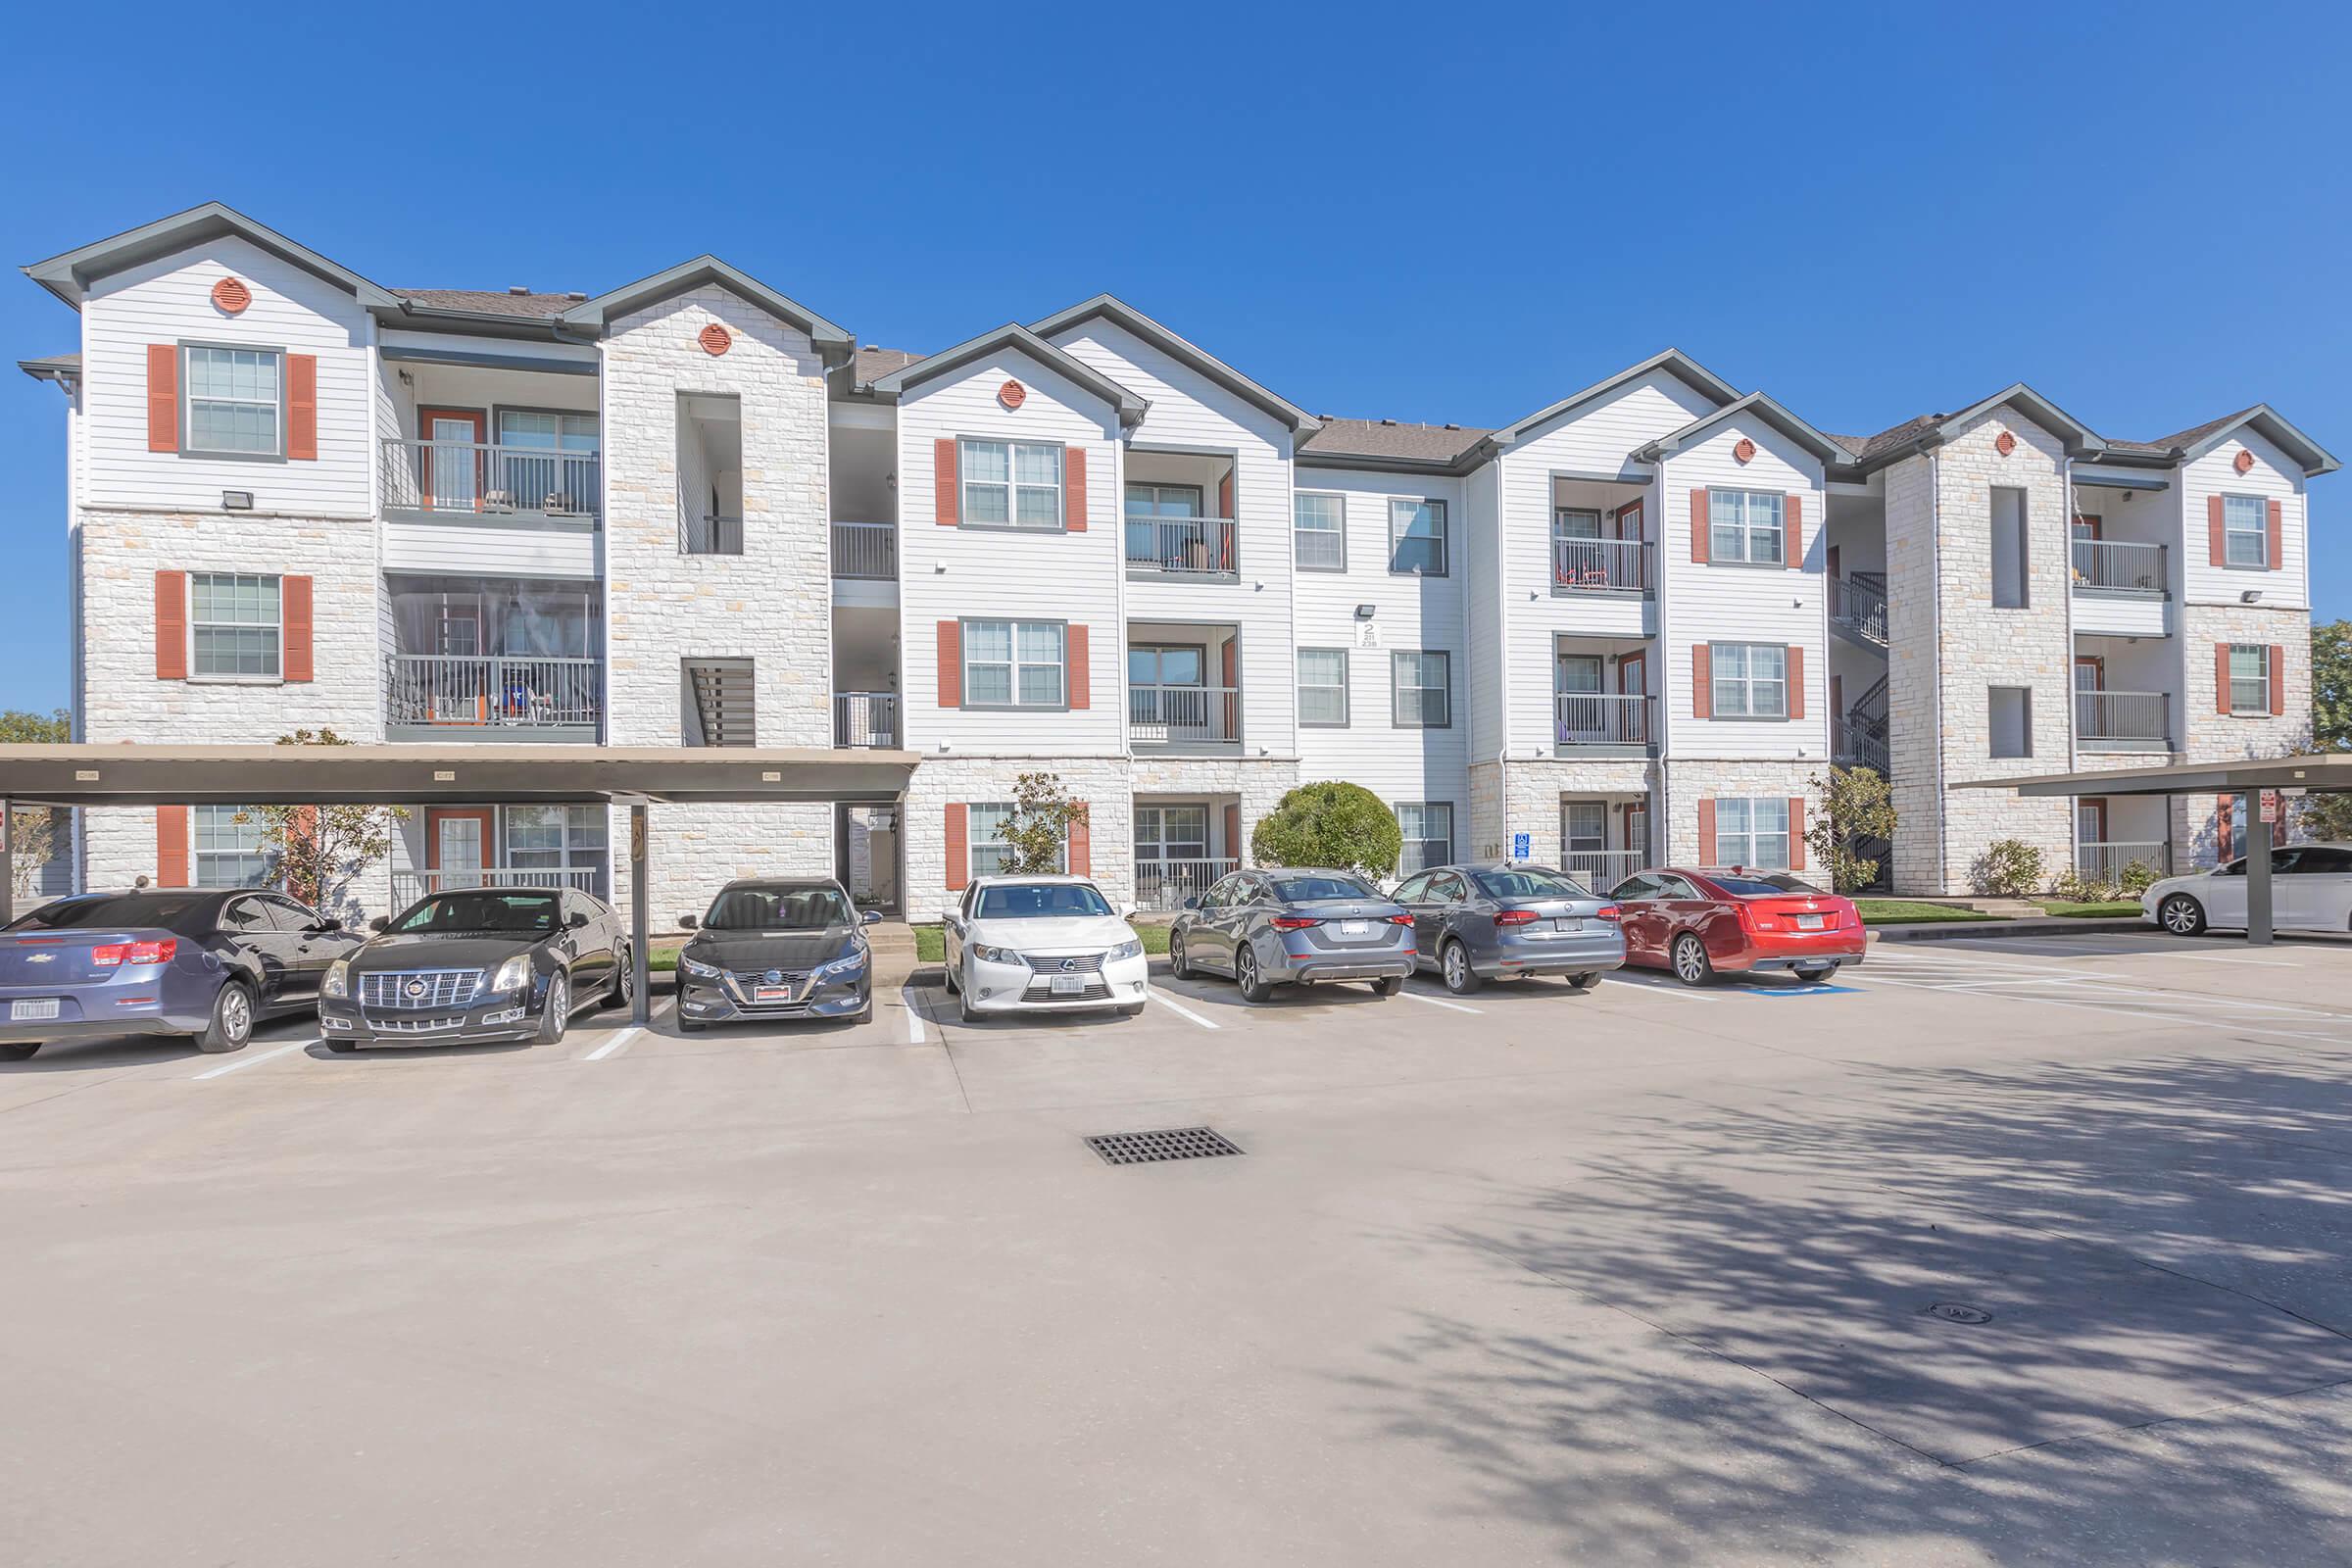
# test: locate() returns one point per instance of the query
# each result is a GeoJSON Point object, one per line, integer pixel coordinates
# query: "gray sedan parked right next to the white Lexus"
{"type": "Point", "coordinates": [1295, 927]}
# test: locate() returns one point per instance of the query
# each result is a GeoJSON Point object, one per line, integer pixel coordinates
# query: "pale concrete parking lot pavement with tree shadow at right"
{"type": "Point", "coordinates": [1989, 1252]}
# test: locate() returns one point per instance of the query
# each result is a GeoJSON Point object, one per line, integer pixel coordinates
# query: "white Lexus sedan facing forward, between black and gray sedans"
{"type": "Point", "coordinates": [1043, 946]}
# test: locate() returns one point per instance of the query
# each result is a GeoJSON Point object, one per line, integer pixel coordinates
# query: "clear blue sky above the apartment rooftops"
{"type": "Point", "coordinates": [1441, 213]}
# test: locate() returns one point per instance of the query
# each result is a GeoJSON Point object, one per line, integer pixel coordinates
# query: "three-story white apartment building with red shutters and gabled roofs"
{"type": "Point", "coordinates": [1636, 624]}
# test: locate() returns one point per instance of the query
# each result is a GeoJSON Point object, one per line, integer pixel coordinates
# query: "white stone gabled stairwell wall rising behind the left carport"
{"type": "Point", "coordinates": [770, 605]}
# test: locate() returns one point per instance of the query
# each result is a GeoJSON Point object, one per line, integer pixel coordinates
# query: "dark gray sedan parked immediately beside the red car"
{"type": "Point", "coordinates": [1497, 920]}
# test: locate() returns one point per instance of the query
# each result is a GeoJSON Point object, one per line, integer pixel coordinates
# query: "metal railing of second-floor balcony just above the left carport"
{"type": "Point", "coordinates": [450, 697]}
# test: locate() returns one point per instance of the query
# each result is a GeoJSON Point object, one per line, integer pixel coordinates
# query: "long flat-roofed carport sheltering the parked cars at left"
{"type": "Point", "coordinates": [446, 775]}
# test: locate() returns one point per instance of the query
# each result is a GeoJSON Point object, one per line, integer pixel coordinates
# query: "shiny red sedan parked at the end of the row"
{"type": "Point", "coordinates": [1735, 920]}
